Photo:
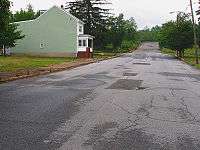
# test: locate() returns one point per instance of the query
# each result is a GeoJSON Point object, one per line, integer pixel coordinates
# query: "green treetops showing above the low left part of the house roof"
{"type": "Point", "coordinates": [24, 15]}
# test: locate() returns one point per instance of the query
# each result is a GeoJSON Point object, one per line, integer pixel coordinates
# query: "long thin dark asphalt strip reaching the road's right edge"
{"type": "Point", "coordinates": [172, 74]}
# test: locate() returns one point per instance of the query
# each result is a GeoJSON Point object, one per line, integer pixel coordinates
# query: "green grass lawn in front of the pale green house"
{"type": "Point", "coordinates": [13, 63]}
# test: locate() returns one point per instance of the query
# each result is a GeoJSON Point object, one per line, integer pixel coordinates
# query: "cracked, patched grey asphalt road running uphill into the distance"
{"type": "Point", "coordinates": [140, 101]}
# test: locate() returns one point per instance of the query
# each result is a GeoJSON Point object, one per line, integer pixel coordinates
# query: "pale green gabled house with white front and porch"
{"type": "Point", "coordinates": [55, 33]}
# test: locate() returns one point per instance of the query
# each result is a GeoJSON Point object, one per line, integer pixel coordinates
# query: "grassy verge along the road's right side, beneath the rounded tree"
{"type": "Point", "coordinates": [188, 58]}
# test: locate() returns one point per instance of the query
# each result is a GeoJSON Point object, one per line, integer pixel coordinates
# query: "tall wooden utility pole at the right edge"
{"type": "Point", "coordinates": [195, 33]}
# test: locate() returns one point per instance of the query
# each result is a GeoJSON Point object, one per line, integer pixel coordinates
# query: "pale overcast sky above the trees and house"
{"type": "Point", "coordinates": [146, 12]}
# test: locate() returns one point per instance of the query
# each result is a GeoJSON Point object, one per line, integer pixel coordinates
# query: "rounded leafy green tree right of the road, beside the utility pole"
{"type": "Point", "coordinates": [177, 35]}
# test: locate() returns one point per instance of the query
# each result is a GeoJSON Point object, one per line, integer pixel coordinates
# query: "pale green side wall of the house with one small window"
{"type": "Point", "coordinates": [53, 32]}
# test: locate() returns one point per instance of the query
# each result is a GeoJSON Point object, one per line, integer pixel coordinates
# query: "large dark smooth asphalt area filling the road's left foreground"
{"type": "Point", "coordinates": [28, 117]}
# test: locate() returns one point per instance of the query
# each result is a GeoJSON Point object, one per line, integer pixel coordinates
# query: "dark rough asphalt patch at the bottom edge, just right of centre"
{"type": "Point", "coordinates": [129, 139]}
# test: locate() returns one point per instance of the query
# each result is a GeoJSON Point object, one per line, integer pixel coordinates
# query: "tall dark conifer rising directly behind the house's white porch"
{"type": "Point", "coordinates": [93, 15]}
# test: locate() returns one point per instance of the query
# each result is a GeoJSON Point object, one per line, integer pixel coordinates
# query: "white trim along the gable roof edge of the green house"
{"type": "Point", "coordinates": [60, 9]}
